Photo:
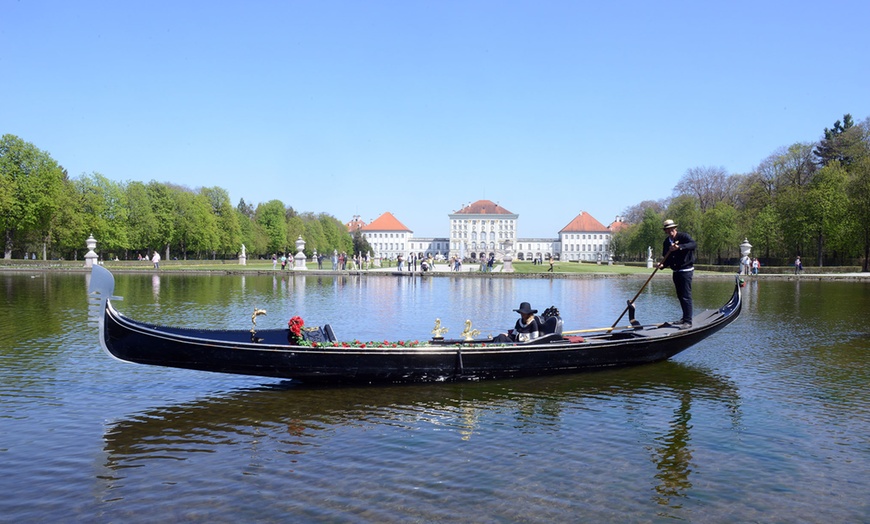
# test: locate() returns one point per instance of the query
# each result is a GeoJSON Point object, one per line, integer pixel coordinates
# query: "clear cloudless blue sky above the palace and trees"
{"type": "Point", "coordinates": [421, 107]}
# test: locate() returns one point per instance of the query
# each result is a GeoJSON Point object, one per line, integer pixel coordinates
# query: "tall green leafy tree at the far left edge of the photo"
{"type": "Point", "coordinates": [31, 182]}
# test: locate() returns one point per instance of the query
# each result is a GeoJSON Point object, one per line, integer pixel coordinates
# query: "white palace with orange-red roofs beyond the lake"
{"type": "Point", "coordinates": [484, 228]}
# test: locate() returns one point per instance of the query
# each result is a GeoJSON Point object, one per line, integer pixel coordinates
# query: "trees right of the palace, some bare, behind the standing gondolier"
{"type": "Point", "coordinates": [809, 199]}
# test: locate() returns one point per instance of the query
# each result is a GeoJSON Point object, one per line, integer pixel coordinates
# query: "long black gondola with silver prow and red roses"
{"type": "Point", "coordinates": [317, 356]}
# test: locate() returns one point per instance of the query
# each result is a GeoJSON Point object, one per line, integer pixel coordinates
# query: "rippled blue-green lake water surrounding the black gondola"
{"type": "Point", "coordinates": [766, 421]}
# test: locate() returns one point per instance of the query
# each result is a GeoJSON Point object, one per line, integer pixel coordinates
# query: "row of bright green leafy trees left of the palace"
{"type": "Point", "coordinates": [45, 212]}
